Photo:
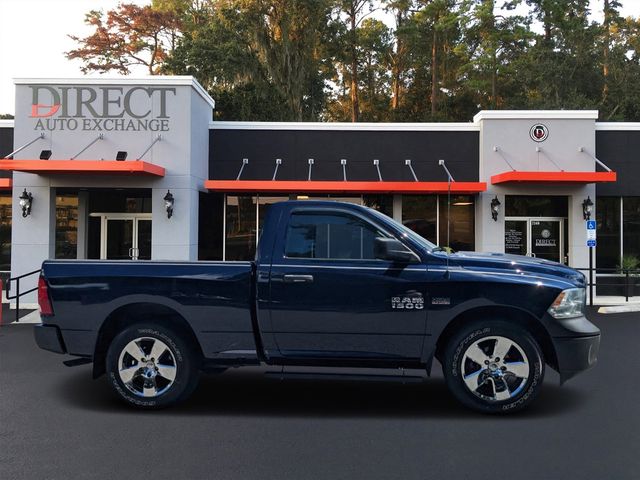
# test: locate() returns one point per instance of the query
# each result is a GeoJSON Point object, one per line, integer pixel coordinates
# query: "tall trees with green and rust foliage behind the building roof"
{"type": "Point", "coordinates": [335, 60]}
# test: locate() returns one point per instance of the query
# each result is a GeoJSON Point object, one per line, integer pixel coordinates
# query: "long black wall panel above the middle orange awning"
{"type": "Point", "coordinates": [227, 148]}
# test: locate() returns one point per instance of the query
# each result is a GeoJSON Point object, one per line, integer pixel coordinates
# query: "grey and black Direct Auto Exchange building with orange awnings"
{"type": "Point", "coordinates": [121, 169]}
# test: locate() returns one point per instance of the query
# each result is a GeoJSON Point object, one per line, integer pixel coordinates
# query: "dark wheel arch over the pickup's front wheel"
{"type": "Point", "coordinates": [509, 314]}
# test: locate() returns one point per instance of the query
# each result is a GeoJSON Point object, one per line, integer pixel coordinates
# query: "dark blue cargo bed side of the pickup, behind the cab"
{"type": "Point", "coordinates": [213, 297]}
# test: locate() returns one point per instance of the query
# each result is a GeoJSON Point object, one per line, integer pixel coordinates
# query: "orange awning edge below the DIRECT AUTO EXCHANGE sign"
{"type": "Point", "coordinates": [108, 167]}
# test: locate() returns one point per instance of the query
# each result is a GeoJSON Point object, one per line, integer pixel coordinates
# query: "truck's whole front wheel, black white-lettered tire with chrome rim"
{"type": "Point", "coordinates": [497, 386]}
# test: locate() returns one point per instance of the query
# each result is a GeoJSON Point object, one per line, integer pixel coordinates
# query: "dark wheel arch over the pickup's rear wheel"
{"type": "Point", "coordinates": [140, 312]}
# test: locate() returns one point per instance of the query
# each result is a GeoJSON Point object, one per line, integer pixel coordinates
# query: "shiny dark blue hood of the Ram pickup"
{"type": "Point", "coordinates": [518, 264]}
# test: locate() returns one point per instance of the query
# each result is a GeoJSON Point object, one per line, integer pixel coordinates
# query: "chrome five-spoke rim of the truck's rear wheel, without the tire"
{"type": "Point", "coordinates": [147, 367]}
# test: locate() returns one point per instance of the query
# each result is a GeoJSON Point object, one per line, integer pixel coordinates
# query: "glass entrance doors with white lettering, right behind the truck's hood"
{"type": "Point", "coordinates": [537, 237]}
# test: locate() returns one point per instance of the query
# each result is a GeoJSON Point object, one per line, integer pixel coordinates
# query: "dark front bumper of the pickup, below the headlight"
{"type": "Point", "coordinates": [576, 342]}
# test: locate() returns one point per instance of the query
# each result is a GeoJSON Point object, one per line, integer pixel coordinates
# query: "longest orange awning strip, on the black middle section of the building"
{"type": "Point", "coordinates": [314, 186]}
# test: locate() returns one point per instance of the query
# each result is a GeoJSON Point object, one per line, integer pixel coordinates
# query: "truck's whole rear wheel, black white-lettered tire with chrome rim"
{"type": "Point", "coordinates": [145, 381]}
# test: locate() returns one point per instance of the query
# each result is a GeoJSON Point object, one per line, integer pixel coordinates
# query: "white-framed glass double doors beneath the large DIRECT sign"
{"type": "Point", "coordinates": [125, 237]}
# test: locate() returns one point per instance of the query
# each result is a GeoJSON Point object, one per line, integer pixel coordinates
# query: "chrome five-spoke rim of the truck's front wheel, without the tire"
{"type": "Point", "coordinates": [495, 368]}
